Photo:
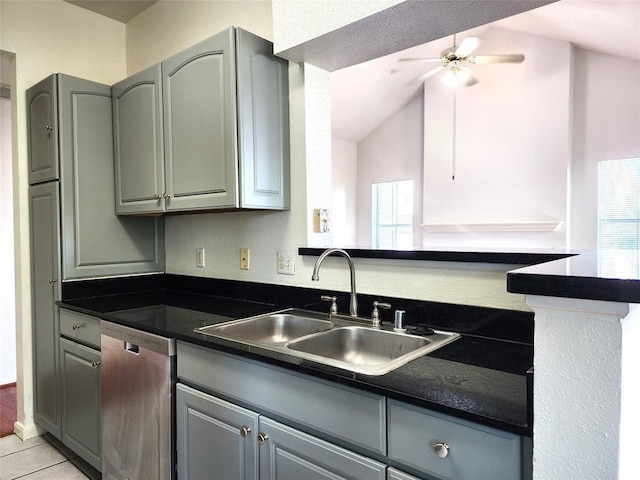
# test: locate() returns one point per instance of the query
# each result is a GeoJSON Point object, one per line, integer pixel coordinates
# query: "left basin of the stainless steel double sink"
{"type": "Point", "coordinates": [270, 329]}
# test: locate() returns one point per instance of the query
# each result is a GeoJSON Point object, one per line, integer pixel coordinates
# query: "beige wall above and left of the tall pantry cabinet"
{"type": "Point", "coordinates": [47, 37]}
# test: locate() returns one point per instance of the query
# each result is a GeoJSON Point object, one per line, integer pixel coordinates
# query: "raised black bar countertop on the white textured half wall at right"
{"type": "Point", "coordinates": [611, 275]}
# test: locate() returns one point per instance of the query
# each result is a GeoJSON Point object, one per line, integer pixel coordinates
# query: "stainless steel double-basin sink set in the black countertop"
{"type": "Point", "coordinates": [339, 341]}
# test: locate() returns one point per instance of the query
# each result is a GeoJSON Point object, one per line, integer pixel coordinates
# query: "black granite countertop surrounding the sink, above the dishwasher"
{"type": "Point", "coordinates": [475, 378]}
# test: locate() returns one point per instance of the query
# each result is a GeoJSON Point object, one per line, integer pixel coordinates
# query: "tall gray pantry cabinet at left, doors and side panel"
{"type": "Point", "coordinates": [75, 232]}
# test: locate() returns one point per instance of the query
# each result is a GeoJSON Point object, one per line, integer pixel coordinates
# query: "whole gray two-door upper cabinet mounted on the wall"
{"type": "Point", "coordinates": [224, 130]}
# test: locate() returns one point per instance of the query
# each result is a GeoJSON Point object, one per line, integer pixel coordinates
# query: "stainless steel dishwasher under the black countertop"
{"type": "Point", "coordinates": [137, 375]}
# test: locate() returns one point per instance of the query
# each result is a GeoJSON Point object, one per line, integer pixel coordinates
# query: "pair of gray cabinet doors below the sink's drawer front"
{"type": "Point", "coordinates": [217, 439]}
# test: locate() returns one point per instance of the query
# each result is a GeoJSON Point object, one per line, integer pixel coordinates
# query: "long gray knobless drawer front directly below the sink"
{"type": "Point", "coordinates": [352, 416]}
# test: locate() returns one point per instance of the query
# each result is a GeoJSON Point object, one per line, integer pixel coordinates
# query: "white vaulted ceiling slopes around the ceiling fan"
{"type": "Point", "coordinates": [364, 95]}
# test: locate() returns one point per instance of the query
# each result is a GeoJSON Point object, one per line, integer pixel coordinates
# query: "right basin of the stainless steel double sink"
{"type": "Point", "coordinates": [366, 350]}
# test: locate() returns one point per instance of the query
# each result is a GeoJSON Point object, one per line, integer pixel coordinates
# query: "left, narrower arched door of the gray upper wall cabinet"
{"type": "Point", "coordinates": [138, 147]}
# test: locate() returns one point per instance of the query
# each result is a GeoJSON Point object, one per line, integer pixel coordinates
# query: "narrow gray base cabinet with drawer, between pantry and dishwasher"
{"type": "Point", "coordinates": [79, 380]}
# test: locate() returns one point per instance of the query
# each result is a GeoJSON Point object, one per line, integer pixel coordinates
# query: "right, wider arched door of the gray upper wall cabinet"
{"type": "Point", "coordinates": [200, 125]}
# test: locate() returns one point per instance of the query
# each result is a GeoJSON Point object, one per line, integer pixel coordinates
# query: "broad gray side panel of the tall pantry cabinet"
{"type": "Point", "coordinates": [96, 241]}
